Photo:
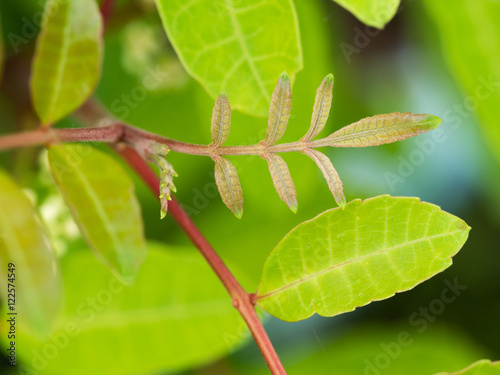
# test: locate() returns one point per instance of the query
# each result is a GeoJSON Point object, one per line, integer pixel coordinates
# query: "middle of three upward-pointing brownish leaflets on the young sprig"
{"type": "Point", "coordinates": [279, 111]}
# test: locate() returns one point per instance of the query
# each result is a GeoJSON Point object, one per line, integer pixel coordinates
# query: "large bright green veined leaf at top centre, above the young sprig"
{"type": "Point", "coordinates": [239, 46]}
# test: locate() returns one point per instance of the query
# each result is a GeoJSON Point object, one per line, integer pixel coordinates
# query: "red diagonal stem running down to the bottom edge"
{"type": "Point", "coordinates": [242, 301]}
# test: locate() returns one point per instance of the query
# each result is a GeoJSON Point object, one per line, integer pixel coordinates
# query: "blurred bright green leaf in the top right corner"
{"type": "Point", "coordinates": [469, 33]}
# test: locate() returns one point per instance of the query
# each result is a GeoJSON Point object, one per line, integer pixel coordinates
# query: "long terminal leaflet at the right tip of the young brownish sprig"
{"type": "Point", "coordinates": [381, 129]}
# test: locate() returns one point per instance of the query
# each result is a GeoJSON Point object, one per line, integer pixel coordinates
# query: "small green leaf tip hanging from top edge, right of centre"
{"type": "Point", "coordinates": [376, 13]}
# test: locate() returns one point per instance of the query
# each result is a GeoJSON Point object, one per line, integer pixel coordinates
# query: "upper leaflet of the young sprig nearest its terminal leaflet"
{"type": "Point", "coordinates": [321, 109]}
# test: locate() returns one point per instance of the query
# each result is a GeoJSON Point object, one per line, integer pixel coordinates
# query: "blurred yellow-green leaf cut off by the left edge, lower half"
{"type": "Point", "coordinates": [27, 264]}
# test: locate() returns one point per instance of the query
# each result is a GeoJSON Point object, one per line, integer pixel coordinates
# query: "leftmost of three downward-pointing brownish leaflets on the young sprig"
{"type": "Point", "coordinates": [229, 186]}
